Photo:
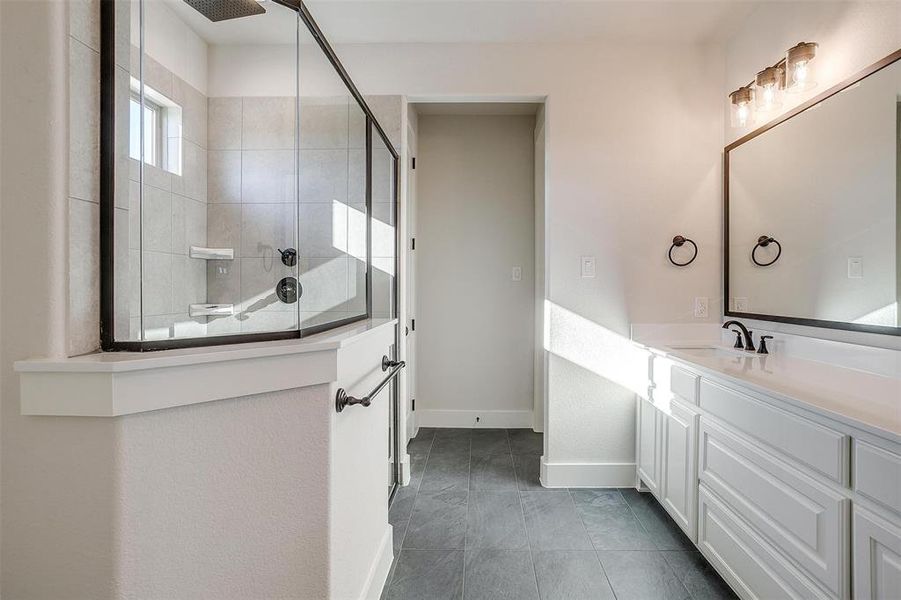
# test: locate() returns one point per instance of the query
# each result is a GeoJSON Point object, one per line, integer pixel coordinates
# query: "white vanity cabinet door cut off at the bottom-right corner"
{"type": "Point", "coordinates": [877, 557]}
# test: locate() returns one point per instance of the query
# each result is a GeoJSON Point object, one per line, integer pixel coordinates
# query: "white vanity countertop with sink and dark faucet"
{"type": "Point", "coordinates": [865, 400]}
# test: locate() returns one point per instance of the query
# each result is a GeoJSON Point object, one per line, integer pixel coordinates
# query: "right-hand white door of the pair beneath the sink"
{"type": "Point", "coordinates": [679, 483]}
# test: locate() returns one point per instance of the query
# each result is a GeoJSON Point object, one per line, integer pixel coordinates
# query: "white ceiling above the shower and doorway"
{"type": "Point", "coordinates": [487, 21]}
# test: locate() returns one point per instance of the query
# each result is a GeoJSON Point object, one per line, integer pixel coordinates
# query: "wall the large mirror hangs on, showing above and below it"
{"type": "Point", "coordinates": [852, 36]}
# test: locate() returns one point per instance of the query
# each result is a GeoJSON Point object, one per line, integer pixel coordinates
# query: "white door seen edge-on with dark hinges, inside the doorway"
{"type": "Point", "coordinates": [409, 328]}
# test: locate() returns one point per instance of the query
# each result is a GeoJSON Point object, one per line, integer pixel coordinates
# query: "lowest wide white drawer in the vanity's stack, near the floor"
{"type": "Point", "coordinates": [744, 559]}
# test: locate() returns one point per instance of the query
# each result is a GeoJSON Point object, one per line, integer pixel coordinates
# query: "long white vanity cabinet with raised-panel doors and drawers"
{"type": "Point", "coordinates": [784, 502]}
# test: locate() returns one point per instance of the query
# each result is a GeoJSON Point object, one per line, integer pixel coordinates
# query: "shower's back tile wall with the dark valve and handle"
{"type": "Point", "coordinates": [251, 209]}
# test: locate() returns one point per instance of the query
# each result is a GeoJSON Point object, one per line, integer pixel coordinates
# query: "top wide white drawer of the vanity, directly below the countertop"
{"type": "Point", "coordinates": [809, 443]}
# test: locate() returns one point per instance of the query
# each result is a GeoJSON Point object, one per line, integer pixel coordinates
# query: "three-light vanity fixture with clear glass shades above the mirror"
{"type": "Point", "coordinates": [764, 94]}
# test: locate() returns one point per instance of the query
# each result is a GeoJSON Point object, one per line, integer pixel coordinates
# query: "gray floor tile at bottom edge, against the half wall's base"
{"type": "Point", "coordinates": [428, 575]}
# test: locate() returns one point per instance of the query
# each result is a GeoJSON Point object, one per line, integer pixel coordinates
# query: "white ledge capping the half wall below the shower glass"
{"type": "Point", "coordinates": [123, 383]}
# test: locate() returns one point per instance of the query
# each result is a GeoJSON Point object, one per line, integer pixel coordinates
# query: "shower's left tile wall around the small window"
{"type": "Point", "coordinates": [174, 219]}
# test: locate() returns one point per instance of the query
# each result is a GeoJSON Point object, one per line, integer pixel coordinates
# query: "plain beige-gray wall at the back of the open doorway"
{"type": "Point", "coordinates": [475, 222]}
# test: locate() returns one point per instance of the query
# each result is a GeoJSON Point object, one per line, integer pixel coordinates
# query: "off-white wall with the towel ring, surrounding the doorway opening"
{"type": "Point", "coordinates": [634, 142]}
